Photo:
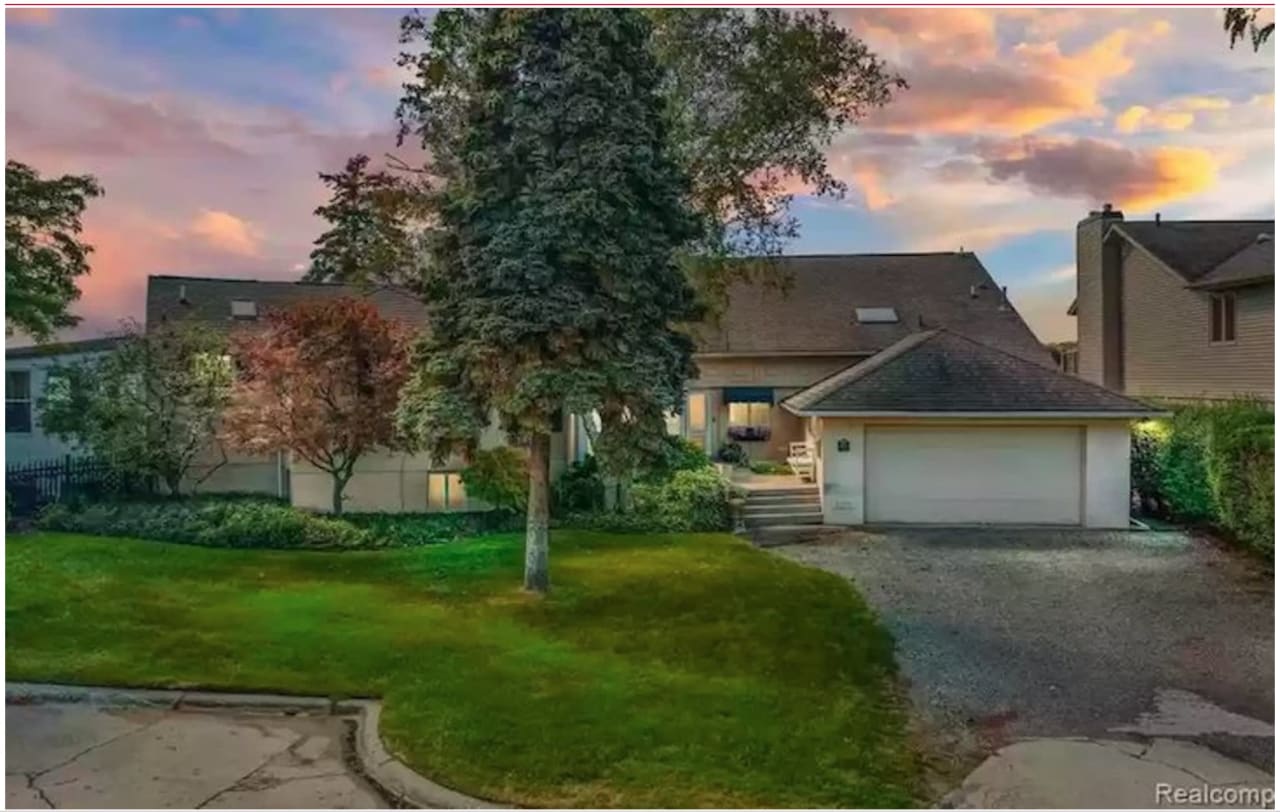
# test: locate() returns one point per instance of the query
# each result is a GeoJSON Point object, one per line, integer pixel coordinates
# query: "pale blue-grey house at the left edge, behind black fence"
{"type": "Point", "coordinates": [29, 372]}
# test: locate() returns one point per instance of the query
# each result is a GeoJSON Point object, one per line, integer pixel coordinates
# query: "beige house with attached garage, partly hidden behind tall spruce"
{"type": "Point", "coordinates": [917, 385]}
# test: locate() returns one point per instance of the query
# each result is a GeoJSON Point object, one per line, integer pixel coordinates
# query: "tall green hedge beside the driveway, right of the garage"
{"type": "Point", "coordinates": [1212, 466]}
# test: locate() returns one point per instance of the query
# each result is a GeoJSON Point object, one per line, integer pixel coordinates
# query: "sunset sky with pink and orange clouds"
{"type": "Point", "coordinates": [208, 130]}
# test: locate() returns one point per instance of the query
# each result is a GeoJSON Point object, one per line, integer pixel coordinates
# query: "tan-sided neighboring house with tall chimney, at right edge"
{"type": "Point", "coordinates": [1177, 309]}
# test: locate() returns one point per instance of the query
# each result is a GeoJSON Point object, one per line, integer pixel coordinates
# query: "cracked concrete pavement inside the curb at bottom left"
{"type": "Point", "coordinates": [86, 756]}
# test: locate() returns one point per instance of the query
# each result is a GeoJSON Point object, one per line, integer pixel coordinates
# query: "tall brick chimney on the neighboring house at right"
{"type": "Point", "coordinates": [1098, 299]}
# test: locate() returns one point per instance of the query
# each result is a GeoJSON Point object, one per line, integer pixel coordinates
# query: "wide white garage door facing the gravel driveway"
{"type": "Point", "coordinates": [944, 476]}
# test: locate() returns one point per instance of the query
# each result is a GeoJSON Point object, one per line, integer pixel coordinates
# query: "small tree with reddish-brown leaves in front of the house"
{"type": "Point", "coordinates": [322, 381]}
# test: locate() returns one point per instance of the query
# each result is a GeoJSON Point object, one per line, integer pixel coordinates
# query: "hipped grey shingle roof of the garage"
{"type": "Point", "coordinates": [941, 372]}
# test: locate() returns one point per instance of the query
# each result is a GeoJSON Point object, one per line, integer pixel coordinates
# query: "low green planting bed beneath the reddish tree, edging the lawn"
{"type": "Point", "coordinates": [266, 524]}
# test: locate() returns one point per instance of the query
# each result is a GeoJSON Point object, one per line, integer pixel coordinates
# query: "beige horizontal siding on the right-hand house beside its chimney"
{"type": "Point", "coordinates": [1167, 339]}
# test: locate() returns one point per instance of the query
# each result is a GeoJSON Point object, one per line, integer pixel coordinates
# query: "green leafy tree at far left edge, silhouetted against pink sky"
{"type": "Point", "coordinates": [43, 250]}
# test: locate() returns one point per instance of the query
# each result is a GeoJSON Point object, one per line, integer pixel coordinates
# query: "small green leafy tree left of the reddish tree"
{"type": "Point", "coordinates": [150, 407]}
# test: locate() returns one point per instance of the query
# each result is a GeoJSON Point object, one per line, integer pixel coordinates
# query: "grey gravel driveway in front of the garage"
{"type": "Point", "coordinates": [1048, 633]}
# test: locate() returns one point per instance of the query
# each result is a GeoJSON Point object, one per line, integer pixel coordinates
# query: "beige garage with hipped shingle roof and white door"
{"type": "Point", "coordinates": [941, 430]}
